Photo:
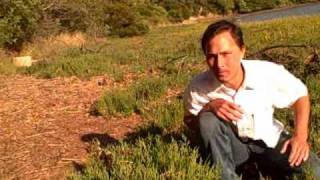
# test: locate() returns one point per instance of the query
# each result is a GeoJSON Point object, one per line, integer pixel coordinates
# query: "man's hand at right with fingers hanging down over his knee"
{"type": "Point", "coordinates": [299, 150]}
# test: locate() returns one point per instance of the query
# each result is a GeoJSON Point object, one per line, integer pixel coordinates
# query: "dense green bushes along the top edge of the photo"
{"type": "Point", "coordinates": [23, 20]}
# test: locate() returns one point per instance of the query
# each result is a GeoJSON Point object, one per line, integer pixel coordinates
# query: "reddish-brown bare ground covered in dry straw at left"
{"type": "Point", "coordinates": [45, 125]}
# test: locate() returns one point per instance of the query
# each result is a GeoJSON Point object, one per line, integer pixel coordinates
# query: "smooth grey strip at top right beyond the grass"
{"type": "Point", "coordinates": [306, 9]}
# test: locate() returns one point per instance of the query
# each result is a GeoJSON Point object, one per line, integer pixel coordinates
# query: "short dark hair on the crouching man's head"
{"type": "Point", "coordinates": [219, 27]}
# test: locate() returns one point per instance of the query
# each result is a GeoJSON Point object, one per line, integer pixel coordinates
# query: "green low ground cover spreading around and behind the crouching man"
{"type": "Point", "coordinates": [167, 58]}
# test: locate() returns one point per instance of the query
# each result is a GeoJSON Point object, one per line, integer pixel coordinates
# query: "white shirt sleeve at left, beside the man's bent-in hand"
{"type": "Point", "coordinates": [193, 100]}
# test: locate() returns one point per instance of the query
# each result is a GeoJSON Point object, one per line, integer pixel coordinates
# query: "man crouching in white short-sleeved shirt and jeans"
{"type": "Point", "coordinates": [232, 105]}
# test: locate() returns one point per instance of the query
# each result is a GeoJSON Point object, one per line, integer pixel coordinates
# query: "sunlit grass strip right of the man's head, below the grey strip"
{"type": "Point", "coordinates": [294, 30]}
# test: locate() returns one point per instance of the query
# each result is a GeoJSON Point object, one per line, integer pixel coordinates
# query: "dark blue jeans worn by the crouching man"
{"type": "Point", "coordinates": [228, 151]}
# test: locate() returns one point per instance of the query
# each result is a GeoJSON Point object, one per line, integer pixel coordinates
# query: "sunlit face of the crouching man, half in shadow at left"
{"type": "Point", "coordinates": [223, 58]}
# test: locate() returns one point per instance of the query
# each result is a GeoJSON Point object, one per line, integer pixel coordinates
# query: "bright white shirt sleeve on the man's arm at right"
{"type": "Point", "coordinates": [287, 89]}
